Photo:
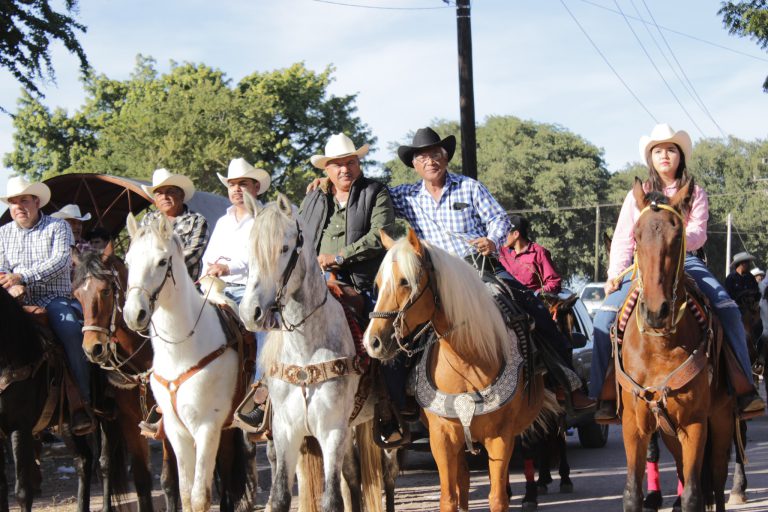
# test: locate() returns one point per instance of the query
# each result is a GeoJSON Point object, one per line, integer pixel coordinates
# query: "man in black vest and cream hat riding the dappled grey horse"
{"type": "Point", "coordinates": [342, 219]}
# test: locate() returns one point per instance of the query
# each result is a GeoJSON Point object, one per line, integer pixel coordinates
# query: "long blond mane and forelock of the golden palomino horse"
{"type": "Point", "coordinates": [478, 327]}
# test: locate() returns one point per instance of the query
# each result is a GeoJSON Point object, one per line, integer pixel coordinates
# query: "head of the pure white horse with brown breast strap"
{"type": "Point", "coordinates": [150, 260]}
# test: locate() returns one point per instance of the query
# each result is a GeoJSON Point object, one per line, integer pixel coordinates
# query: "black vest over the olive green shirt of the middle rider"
{"type": "Point", "coordinates": [315, 211]}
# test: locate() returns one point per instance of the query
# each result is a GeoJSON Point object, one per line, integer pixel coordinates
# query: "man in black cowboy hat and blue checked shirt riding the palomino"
{"type": "Point", "coordinates": [459, 215]}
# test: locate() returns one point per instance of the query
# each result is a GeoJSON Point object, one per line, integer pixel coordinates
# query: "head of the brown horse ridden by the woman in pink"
{"type": "Point", "coordinates": [660, 252]}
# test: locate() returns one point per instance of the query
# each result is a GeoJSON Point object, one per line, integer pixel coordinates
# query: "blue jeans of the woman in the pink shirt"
{"type": "Point", "coordinates": [726, 309]}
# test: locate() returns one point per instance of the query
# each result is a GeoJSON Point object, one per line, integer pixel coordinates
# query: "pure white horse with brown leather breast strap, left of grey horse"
{"type": "Point", "coordinates": [195, 373]}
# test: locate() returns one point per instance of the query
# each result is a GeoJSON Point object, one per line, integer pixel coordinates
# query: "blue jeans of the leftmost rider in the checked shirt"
{"type": "Point", "coordinates": [64, 315]}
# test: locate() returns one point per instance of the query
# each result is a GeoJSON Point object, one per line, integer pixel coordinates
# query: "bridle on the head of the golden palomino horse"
{"type": "Point", "coordinates": [398, 316]}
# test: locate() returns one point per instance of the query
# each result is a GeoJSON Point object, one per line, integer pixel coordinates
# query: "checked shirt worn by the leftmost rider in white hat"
{"type": "Point", "coordinates": [41, 255]}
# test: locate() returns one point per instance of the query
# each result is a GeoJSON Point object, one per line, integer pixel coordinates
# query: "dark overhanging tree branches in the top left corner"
{"type": "Point", "coordinates": [27, 28]}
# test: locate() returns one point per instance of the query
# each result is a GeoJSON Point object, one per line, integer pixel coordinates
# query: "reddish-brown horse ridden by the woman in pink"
{"type": "Point", "coordinates": [668, 358]}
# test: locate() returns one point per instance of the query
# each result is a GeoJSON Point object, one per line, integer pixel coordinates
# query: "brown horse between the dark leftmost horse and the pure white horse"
{"type": "Point", "coordinates": [99, 286]}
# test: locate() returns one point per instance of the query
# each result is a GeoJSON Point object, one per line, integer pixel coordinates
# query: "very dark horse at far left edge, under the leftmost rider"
{"type": "Point", "coordinates": [30, 387]}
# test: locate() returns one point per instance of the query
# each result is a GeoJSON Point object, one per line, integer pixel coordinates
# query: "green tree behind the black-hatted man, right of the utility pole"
{"type": "Point", "coordinates": [539, 167]}
